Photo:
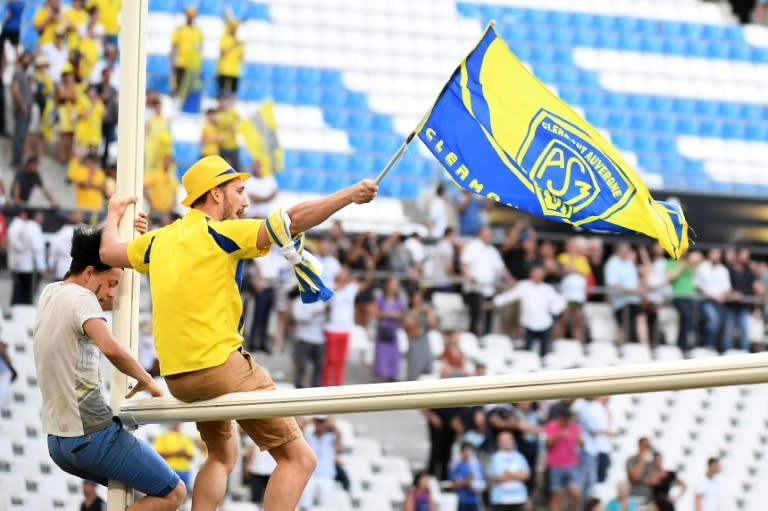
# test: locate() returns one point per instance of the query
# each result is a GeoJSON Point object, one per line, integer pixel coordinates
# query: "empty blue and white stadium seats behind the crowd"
{"type": "Point", "coordinates": [676, 85]}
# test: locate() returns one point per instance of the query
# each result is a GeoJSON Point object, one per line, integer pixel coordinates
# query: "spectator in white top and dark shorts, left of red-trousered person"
{"type": "Point", "coordinates": [310, 341]}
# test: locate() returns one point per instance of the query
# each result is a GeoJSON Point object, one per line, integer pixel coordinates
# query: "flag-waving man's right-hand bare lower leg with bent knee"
{"type": "Point", "coordinates": [295, 464]}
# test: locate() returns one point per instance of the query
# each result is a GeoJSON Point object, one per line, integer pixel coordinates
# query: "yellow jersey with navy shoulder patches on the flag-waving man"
{"type": "Point", "coordinates": [195, 268]}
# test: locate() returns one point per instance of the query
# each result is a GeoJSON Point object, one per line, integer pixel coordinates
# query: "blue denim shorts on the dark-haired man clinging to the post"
{"type": "Point", "coordinates": [114, 453]}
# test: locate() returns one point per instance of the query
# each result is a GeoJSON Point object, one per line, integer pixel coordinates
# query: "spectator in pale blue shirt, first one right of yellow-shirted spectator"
{"type": "Point", "coordinates": [623, 281]}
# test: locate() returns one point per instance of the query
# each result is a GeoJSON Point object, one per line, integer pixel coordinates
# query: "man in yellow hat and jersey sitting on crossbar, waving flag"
{"type": "Point", "coordinates": [195, 266]}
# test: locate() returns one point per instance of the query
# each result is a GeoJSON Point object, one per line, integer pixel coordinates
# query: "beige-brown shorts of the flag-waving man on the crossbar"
{"type": "Point", "coordinates": [238, 374]}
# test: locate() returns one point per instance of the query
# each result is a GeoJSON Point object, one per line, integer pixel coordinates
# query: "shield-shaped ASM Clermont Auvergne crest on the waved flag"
{"type": "Point", "coordinates": [568, 173]}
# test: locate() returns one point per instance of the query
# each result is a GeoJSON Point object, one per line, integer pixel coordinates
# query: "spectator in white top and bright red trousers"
{"type": "Point", "coordinates": [341, 321]}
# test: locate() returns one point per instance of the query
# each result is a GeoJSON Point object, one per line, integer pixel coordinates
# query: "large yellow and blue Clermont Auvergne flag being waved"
{"type": "Point", "coordinates": [501, 133]}
